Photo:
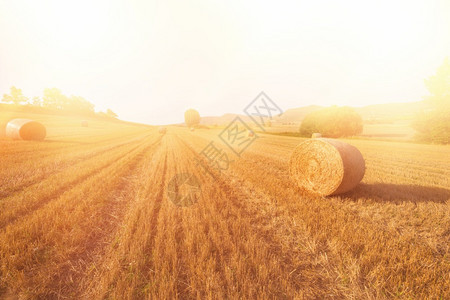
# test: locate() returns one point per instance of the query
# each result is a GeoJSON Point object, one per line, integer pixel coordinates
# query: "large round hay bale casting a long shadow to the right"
{"type": "Point", "coordinates": [326, 166]}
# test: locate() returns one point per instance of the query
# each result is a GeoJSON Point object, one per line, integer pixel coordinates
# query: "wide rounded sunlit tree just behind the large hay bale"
{"type": "Point", "coordinates": [333, 122]}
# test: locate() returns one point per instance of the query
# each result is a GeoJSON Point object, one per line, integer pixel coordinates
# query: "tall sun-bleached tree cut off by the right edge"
{"type": "Point", "coordinates": [434, 125]}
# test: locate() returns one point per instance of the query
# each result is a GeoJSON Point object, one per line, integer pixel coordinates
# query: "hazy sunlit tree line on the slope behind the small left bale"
{"type": "Point", "coordinates": [54, 99]}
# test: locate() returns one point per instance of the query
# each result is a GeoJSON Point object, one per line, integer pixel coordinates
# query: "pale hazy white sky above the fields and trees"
{"type": "Point", "coordinates": [151, 60]}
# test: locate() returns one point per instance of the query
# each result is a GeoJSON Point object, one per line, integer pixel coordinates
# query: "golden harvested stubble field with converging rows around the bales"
{"type": "Point", "coordinates": [86, 215]}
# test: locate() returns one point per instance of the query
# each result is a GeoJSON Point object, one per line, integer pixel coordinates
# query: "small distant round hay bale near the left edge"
{"type": "Point", "coordinates": [24, 129]}
